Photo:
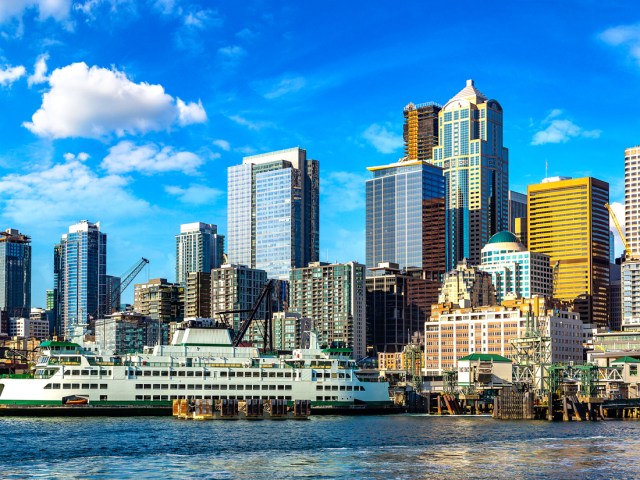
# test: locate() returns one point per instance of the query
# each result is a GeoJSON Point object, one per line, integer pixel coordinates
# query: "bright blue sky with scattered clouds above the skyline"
{"type": "Point", "coordinates": [128, 112]}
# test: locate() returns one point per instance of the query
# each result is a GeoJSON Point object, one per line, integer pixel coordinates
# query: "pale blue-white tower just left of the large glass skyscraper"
{"type": "Point", "coordinates": [199, 248]}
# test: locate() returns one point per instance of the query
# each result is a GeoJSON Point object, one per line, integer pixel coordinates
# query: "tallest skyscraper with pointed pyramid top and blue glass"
{"type": "Point", "coordinates": [476, 169]}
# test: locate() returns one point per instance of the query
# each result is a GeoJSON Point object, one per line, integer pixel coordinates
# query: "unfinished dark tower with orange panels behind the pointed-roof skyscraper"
{"type": "Point", "coordinates": [420, 130]}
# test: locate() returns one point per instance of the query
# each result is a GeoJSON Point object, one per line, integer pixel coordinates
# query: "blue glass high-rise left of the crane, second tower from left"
{"type": "Point", "coordinates": [80, 265]}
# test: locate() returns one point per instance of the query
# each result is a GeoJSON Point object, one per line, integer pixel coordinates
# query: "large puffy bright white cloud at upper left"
{"type": "Point", "coordinates": [95, 102]}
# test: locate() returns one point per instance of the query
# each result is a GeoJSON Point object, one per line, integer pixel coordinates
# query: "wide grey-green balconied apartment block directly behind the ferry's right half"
{"type": "Point", "coordinates": [333, 296]}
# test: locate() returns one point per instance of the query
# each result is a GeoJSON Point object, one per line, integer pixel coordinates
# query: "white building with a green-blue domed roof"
{"type": "Point", "coordinates": [515, 271]}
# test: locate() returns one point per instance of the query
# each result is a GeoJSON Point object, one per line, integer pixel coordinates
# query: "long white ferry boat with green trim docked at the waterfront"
{"type": "Point", "coordinates": [201, 363]}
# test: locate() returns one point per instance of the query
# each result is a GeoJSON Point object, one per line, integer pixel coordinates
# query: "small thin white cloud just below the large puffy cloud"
{"type": "Point", "coordinates": [148, 159]}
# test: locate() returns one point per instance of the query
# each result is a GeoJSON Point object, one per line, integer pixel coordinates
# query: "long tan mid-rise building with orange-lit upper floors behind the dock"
{"type": "Point", "coordinates": [452, 333]}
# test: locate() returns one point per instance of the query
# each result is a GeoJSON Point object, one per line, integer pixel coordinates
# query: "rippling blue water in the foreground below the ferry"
{"type": "Point", "coordinates": [324, 447]}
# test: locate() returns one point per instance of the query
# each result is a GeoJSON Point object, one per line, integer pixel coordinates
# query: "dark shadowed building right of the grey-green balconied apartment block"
{"type": "Point", "coordinates": [398, 304]}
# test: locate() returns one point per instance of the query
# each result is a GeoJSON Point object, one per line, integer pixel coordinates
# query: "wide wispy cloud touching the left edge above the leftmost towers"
{"type": "Point", "coordinates": [65, 192]}
